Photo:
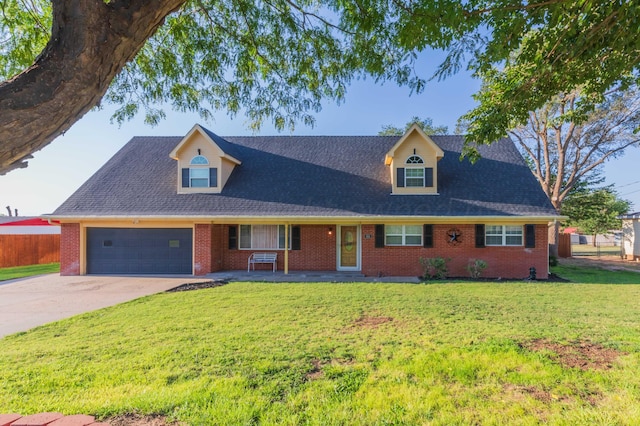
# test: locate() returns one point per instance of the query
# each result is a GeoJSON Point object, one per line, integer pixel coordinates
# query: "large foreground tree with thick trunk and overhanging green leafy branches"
{"type": "Point", "coordinates": [277, 59]}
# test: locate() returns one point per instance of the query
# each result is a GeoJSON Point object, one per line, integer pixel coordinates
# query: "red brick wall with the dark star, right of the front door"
{"type": "Point", "coordinates": [505, 262]}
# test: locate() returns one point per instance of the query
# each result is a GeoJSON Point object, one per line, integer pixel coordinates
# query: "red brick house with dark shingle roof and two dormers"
{"type": "Point", "coordinates": [374, 204]}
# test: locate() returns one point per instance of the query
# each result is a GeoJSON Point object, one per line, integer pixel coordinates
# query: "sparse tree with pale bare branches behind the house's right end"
{"type": "Point", "coordinates": [566, 148]}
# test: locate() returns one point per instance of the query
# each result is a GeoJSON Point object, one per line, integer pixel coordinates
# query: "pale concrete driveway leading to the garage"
{"type": "Point", "coordinates": [30, 302]}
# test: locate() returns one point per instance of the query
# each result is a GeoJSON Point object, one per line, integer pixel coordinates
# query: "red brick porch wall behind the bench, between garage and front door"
{"type": "Point", "coordinates": [317, 251]}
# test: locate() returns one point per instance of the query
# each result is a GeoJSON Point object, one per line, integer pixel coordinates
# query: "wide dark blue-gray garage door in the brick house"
{"type": "Point", "coordinates": [139, 251]}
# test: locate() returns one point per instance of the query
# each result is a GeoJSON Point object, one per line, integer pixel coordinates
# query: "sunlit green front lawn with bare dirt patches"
{"type": "Point", "coordinates": [250, 353]}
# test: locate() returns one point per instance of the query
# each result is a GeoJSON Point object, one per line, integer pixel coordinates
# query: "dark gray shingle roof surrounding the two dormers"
{"type": "Point", "coordinates": [310, 176]}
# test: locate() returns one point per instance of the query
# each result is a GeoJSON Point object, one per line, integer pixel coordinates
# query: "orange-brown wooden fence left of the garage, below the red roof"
{"type": "Point", "coordinates": [23, 250]}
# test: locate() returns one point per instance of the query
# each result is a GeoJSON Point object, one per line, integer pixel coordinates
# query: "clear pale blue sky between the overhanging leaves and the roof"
{"type": "Point", "coordinates": [60, 168]}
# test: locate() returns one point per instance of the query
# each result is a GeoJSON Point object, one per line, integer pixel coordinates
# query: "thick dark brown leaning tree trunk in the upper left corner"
{"type": "Point", "coordinates": [90, 43]}
